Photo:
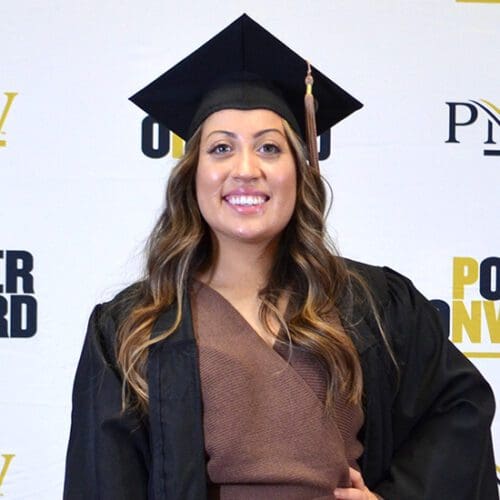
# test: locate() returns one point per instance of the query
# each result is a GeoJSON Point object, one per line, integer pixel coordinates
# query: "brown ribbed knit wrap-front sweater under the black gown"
{"type": "Point", "coordinates": [266, 432]}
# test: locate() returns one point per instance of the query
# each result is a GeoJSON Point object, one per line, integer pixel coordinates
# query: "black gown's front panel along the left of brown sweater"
{"type": "Point", "coordinates": [178, 468]}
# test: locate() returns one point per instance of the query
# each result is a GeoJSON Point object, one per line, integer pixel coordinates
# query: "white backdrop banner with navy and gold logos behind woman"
{"type": "Point", "coordinates": [415, 174]}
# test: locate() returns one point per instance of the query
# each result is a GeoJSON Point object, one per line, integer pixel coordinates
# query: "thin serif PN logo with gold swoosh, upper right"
{"type": "Point", "coordinates": [483, 113]}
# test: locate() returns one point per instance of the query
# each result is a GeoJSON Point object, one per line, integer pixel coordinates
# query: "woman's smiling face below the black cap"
{"type": "Point", "coordinates": [246, 176]}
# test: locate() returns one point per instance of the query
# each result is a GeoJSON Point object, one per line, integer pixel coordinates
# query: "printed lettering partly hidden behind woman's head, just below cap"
{"type": "Point", "coordinates": [157, 141]}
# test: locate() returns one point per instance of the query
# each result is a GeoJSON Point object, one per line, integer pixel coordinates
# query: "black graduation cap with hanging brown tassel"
{"type": "Point", "coordinates": [245, 67]}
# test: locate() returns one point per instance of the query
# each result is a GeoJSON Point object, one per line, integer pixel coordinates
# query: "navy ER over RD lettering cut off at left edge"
{"type": "Point", "coordinates": [18, 306]}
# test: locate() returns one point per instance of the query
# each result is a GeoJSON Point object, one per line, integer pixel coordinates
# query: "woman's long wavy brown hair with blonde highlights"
{"type": "Point", "coordinates": [306, 269]}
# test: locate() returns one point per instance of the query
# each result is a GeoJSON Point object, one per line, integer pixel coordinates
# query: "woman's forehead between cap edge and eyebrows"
{"type": "Point", "coordinates": [242, 122]}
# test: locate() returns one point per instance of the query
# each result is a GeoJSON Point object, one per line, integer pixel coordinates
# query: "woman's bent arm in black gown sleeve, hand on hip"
{"type": "Point", "coordinates": [442, 410]}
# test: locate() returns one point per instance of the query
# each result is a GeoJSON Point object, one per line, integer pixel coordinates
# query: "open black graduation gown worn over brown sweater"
{"type": "Point", "coordinates": [426, 433]}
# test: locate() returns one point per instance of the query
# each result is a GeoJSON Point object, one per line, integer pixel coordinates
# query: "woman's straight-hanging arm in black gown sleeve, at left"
{"type": "Point", "coordinates": [108, 452]}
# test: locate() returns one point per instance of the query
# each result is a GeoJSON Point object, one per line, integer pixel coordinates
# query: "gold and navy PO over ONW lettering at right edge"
{"type": "Point", "coordinates": [473, 318]}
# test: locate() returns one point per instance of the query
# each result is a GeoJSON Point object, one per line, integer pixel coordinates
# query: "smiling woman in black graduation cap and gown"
{"type": "Point", "coordinates": [251, 362]}
